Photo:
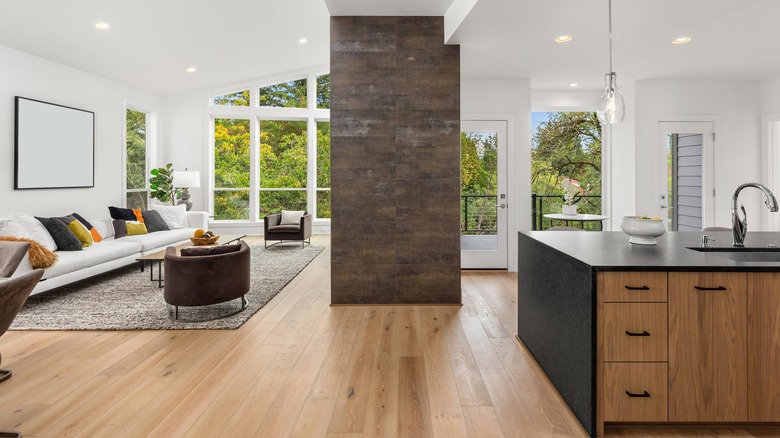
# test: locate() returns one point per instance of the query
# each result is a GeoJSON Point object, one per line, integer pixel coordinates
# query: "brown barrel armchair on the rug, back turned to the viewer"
{"type": "Point", "coordinates": [202, 276]}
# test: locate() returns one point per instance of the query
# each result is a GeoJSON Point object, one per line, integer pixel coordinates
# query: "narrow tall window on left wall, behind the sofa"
{"type": "Point", "coordinates": [136, 144]}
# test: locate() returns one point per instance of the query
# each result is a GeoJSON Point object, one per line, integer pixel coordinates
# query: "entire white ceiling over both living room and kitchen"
{"type": "Point", "coordinates": [152, 42]}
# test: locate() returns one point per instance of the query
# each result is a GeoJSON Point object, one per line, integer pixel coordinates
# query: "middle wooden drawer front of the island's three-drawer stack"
{"type": "Point", "coordinates": [635, 318]}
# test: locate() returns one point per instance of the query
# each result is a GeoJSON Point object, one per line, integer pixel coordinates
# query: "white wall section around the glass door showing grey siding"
{"type": "Point", "coordinates": [735, 109]}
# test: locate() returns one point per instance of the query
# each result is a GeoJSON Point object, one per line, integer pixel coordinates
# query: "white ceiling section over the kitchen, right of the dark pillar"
{"type": "Point", "coordinates": [732, 40]}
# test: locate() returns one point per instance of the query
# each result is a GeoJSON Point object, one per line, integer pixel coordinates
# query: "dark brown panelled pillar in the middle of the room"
{"type": "Point", "coordinates": [395, 161]}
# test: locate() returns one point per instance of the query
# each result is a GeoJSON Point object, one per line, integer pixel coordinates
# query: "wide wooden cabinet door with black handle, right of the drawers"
{"type": "Point", "coordinates": [707, 346]}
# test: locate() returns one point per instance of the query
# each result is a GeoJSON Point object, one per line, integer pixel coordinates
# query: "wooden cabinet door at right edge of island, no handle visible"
{"type": "Point", "coordinates": [764, 346]}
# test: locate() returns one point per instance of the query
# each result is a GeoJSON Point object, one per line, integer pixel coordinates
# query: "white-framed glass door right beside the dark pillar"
{"type": "Point", "coordinates": [483, 199]}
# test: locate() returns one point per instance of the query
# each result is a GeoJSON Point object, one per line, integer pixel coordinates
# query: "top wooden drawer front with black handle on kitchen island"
{"type": "Point", "coordinates": [615, 286]}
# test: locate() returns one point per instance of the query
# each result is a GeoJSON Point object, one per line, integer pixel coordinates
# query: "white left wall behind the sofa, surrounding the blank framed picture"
{"type": "Point", "coordinates": [36, 78]}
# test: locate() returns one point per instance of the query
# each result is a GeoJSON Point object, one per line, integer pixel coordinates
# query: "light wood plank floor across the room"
{"type": "Point", "coordinates": [300, 368]}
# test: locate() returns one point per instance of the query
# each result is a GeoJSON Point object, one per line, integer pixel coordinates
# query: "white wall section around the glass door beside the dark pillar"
{"type": "Point", "coordinates": [507, 100]}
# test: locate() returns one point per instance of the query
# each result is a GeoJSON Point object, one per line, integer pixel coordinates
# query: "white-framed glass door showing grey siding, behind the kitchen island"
{"type": "Point", "coordinates": [686, 191]}
